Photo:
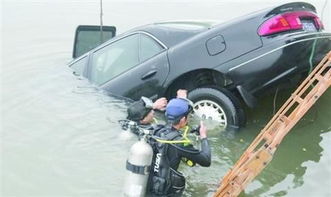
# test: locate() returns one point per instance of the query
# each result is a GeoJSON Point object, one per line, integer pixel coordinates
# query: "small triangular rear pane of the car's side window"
{"type": "Point", "coordinates": [148, 47]}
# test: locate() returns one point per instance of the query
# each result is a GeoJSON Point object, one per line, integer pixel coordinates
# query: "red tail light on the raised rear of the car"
{"type": "Point", "coordinates": [289, 21]}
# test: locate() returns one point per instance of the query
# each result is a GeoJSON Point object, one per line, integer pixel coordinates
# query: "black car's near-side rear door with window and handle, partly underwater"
{"type": "Point", "coordinates": [134, 66]}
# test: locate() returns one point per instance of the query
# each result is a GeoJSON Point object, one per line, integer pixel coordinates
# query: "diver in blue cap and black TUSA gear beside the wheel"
{"type": "Point", "coordinates": [170, 149]}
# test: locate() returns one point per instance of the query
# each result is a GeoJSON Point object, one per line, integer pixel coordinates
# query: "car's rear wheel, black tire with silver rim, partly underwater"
{"type": "Point", "coordinates": [218, 104]}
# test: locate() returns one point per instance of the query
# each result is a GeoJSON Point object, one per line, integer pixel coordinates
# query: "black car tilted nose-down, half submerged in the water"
{"type": "Point", "coordinates": [221, 65]}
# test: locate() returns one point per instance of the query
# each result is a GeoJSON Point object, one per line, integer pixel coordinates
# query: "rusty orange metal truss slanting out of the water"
{"type": "Point", "coordinates": [260, 152]}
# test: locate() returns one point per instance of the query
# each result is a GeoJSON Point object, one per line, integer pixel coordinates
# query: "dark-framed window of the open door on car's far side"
{"type": "Point", "coordinates": [88, 37]}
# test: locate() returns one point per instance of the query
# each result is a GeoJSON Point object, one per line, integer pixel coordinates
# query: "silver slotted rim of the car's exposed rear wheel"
{"type": "Point", "coordinates": [209, 110]}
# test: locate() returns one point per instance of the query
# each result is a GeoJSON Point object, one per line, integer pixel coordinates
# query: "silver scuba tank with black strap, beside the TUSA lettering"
{"type": "Point", "coordinates": [138, 167]}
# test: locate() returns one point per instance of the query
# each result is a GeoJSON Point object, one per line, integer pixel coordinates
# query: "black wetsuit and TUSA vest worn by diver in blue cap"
{"type": "Point", "coordinates": [165, 180]}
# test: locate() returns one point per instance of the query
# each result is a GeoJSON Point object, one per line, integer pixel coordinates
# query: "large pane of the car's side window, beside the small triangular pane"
{"type": "Point", "coordinates": [114, 59]}
